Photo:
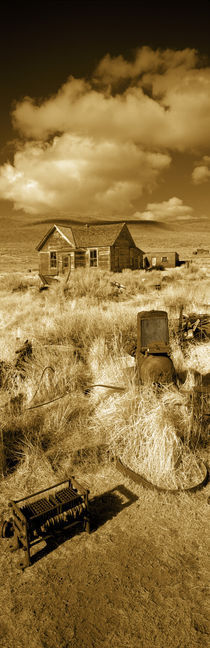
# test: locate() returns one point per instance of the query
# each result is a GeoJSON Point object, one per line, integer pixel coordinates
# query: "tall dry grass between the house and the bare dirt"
{"type": "Point", "coordinates": [81, 336]}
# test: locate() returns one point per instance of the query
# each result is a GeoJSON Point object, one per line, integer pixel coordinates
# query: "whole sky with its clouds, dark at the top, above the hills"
{"type": "Point", "coordinates": [105, 111]}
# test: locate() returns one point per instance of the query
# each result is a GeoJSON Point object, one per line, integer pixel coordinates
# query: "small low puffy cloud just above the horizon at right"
{"type": "Point", "coordinates": [172, 209]}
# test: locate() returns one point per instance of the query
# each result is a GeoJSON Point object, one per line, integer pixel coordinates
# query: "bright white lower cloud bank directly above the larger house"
{"type": "Point", "coordinates": [75, 174]}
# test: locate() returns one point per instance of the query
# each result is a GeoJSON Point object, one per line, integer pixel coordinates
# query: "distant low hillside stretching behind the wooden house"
{"type": "Point", "coordinates": [21, 233]}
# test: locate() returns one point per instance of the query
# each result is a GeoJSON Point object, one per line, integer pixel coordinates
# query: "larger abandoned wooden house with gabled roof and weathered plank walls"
{"type": "Point", "coordinates": [108, 247]}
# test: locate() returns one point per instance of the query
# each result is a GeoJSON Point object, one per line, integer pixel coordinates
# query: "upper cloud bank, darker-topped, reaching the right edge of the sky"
{"type": "Point", "coordinates": [166, 103]}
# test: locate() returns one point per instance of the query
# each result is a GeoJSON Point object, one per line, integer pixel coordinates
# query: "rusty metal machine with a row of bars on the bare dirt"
{"type": "Point", "coordinates": [34, 520]}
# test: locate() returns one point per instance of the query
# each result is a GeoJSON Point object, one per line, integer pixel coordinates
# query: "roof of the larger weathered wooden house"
{"type": "Point", "coordinates": [87, 235]}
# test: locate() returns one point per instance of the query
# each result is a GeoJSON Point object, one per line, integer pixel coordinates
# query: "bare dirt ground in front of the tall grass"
{"type": "Point", "coordinates": [138, 580]}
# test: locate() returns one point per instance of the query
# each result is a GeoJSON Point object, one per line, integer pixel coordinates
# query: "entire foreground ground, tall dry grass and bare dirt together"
{"type": "Point", "coordinates": [140, 577]}
